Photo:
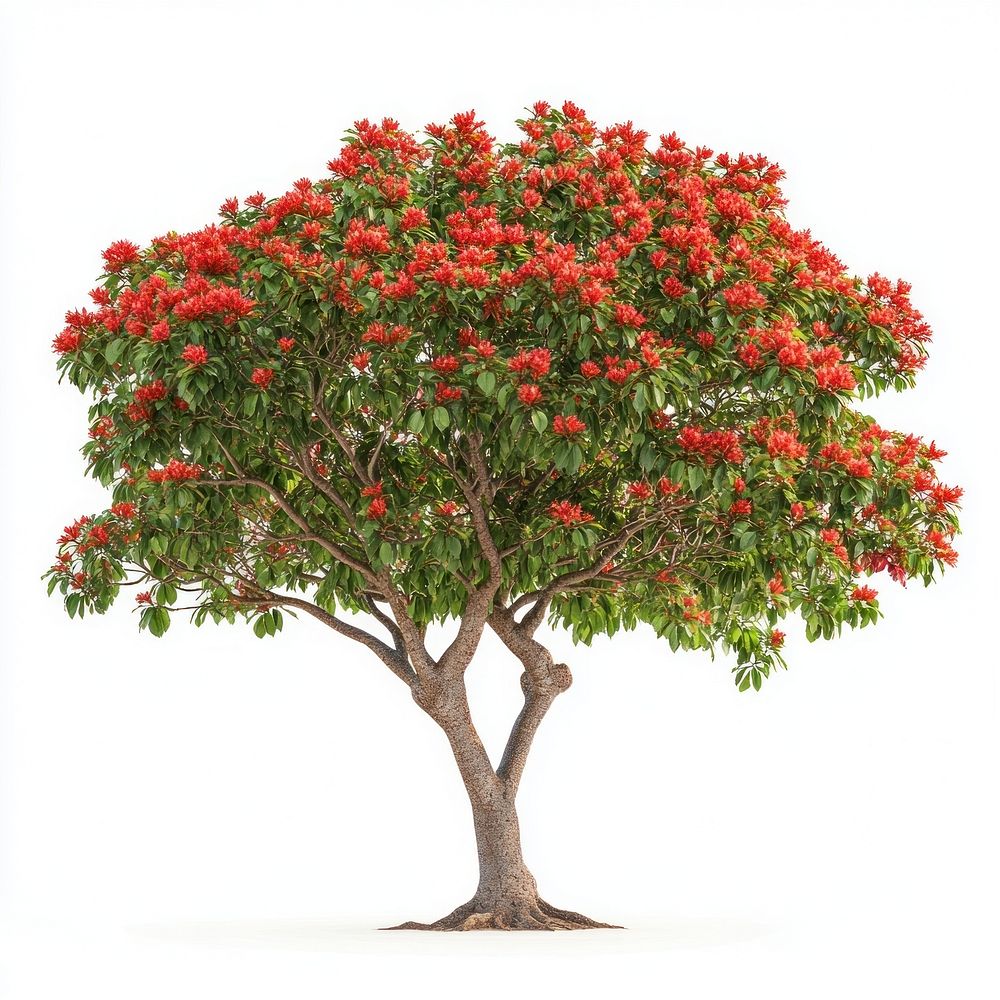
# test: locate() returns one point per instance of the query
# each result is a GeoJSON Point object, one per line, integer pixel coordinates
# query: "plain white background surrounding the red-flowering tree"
{"type": "Point", "coordinates": [213, 816]}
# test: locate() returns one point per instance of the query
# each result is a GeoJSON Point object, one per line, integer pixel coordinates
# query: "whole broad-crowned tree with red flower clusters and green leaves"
{"type": "Point", "coordinates": [566, 379]}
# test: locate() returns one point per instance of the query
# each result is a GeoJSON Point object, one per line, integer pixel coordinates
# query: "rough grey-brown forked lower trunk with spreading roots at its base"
{"type": "Point", "coordinates": [507, 896]}
